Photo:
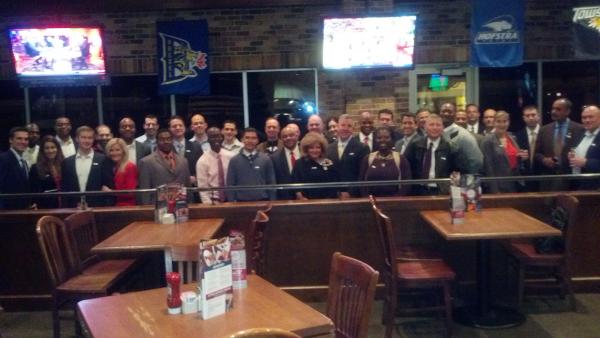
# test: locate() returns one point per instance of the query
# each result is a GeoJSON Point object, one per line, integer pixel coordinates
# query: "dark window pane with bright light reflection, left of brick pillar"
{"type": "Point", "coordinates": [288, 95]}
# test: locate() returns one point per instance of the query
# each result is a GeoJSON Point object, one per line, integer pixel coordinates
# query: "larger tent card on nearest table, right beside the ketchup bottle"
{"type": "Point", "coordinates": [215, 281]}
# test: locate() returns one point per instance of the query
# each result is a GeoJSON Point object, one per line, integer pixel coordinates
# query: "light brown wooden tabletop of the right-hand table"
{"type": "Point", "coordinates": [493, 223]}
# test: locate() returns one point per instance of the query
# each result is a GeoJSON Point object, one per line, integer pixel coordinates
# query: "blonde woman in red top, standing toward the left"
{"type": "Point", "coordinates": [119, 173]}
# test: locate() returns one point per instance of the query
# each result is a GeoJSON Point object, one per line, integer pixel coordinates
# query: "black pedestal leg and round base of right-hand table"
{"type": "Point", "coordinates": [485, 315]}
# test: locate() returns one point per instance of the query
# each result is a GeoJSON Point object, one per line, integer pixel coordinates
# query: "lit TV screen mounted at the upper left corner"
{"type": "Point", "coordinates": [43, 52]}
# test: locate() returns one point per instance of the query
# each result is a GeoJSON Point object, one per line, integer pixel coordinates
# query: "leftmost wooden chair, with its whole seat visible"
{"type": "Point", "coordinates": [72, 283]}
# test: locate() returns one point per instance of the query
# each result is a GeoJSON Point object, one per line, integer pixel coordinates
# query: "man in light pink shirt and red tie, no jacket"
{"type": "Point", "coordinates": [211, 168]}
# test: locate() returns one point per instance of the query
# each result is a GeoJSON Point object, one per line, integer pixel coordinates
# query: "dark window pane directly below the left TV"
{"type": "Point", "coordinates": [77, 103]}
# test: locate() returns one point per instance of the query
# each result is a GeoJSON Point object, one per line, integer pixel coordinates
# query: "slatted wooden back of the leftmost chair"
{"type": "Point", "coordinates": [55, 248]}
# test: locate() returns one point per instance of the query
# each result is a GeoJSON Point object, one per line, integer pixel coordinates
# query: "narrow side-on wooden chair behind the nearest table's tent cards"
{"type": "Point", "coordinates": [256, 245]}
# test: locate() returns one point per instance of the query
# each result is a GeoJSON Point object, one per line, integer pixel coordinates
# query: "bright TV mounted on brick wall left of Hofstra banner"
{"type": "Point", "coordinates": [369, 42]}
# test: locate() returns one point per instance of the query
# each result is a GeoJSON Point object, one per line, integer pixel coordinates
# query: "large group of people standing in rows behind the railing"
{"type": "Point", "coordinates": [426, 145]}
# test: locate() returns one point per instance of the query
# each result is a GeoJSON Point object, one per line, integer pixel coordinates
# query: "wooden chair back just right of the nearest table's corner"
{"type": "Point", "coordinates": [351, 293]}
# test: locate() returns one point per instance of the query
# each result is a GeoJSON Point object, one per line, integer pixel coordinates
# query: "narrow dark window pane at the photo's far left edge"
{"type": "Point", "coordinates": [12, 113]}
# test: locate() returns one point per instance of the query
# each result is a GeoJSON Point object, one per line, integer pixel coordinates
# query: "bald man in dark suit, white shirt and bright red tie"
{"type": "Point", "coordinates": [285, 158]}
